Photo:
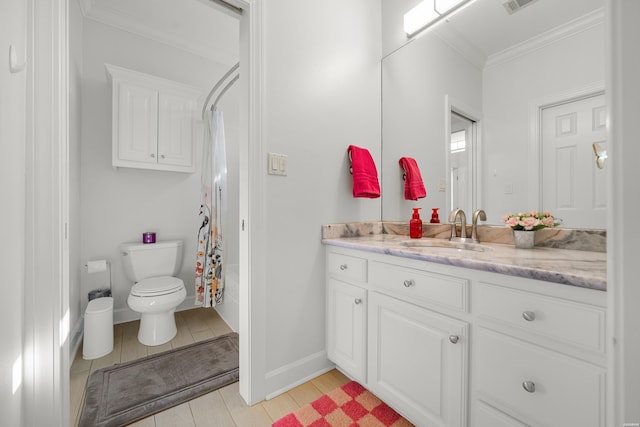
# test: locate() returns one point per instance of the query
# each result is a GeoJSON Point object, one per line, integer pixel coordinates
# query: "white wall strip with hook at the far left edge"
{"type": "Point", "coordinates": [13, 212]}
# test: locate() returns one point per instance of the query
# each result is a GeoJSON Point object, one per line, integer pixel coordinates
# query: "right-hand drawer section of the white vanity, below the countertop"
{"type": "Point", "coordinates": [539, 358]}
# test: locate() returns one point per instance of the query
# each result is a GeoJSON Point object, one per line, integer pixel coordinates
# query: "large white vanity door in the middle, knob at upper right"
{"type": "Point", "coordinates": [417, 361]}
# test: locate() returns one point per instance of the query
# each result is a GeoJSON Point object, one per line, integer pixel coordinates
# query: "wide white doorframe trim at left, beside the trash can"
{"type": "Point", "coordinates": [46, 288]}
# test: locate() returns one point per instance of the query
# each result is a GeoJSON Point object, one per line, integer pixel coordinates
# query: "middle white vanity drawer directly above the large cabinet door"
{"type": "Point", "coordinates": [420, 286]}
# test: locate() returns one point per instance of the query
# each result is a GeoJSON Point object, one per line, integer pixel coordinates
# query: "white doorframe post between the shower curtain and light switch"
{"type": "Point", "coordinates": [252, 232]}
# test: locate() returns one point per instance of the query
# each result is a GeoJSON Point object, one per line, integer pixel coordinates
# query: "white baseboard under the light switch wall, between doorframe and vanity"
{"type": "Point", "coordinates": [299, 372]}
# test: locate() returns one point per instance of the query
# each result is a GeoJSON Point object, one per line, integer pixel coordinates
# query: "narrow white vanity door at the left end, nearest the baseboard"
{"type": "Point", "coordinates": [346, 334]}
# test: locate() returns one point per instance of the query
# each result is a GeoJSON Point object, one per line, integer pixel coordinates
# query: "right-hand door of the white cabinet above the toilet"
{"type": "Point", "coordinates": [175, 131]}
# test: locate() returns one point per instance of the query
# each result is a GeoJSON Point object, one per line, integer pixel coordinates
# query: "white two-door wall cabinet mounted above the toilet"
{"type": "Point", "coordinates": [152, 121]}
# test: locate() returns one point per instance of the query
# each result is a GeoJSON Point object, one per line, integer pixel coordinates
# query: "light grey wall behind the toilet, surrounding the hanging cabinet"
{"type": "Point", "coordinates": [119, 205]}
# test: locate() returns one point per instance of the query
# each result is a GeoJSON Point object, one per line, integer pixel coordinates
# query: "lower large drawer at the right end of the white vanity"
{"type": "Point", "coordinates": [538, 386]}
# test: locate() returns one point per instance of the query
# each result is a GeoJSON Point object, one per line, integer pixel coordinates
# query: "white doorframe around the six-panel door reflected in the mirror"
{"type": "Point", "coordinates": [535, 133]}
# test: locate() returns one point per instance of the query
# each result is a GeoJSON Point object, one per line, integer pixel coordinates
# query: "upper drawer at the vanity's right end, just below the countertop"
{"type": "Point", "coordinates": [572, 323]}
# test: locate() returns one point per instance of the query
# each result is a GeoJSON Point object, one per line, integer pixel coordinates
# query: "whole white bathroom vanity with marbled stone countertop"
{"type": "Point", "coordinates": [484, 336]}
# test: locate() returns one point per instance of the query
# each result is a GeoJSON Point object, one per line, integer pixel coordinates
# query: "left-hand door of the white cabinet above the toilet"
{"type": "Point", "coordinates": [136, 125]}
